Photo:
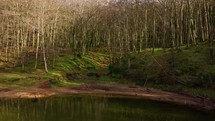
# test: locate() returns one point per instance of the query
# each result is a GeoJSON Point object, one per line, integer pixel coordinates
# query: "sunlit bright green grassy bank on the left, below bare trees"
{"type": "Point", "coordinates": [14, 77]}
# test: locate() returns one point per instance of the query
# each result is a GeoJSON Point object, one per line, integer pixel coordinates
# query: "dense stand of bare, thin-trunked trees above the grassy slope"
{"type": "Point", "coordinates": [46, 28]}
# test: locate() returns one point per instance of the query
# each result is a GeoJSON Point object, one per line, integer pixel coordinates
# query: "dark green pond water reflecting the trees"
{"type": "Point", "coordinates": [94, 108]}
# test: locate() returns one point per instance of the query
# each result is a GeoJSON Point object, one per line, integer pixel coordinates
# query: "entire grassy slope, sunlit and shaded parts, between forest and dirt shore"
{"type": "Point", "coordinates": [189, 67]}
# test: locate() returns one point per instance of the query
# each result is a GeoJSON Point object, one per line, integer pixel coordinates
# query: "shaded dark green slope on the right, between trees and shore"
{"type": "Point", "coordinates": [189, 71]}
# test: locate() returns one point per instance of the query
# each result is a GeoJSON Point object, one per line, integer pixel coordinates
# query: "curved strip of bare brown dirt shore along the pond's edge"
{"type": "Point", "coordinates": [114, 90]}
